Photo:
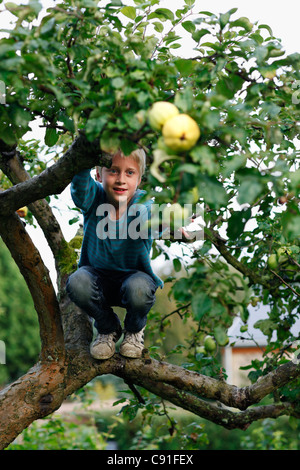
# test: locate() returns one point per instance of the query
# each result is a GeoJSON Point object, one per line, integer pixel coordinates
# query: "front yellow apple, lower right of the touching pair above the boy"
{"type": "Point", "coordinates": [181, 132]}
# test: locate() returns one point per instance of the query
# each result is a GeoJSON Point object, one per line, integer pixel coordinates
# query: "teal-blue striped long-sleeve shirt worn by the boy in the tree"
{"type": "Point", "coordinates": [113, 253]}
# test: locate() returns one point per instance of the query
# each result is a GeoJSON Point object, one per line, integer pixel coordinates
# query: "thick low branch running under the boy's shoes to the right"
{"type": "Point", "coordinates": [42, 390]}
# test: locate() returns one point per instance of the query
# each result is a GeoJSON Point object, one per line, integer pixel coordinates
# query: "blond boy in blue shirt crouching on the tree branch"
{"type": "Point", "coordinates": [114, 270]}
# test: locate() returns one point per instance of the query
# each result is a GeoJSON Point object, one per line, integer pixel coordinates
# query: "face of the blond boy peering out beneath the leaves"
{"type": "Point", "coordinates": [121, 180]}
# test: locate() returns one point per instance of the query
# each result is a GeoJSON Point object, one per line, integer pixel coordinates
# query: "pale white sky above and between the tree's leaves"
{"type": "Point", "coordinates": [281, 16]}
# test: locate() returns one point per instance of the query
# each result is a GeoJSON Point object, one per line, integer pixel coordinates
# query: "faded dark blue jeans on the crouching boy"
{"type": "Point", "coordinates": [96, 292]}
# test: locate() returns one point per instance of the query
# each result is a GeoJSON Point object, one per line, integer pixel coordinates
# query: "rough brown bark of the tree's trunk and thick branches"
{"type": "Point", "coordinates": [65, 363]}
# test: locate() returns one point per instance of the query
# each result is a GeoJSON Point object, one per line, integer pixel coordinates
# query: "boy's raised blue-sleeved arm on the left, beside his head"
{"type": "Point", "coordinates": [84, 190]}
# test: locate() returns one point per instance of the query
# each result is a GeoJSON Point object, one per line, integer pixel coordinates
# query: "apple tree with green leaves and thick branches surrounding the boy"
{"type": "Point", "coordinates": [88, 72]}
